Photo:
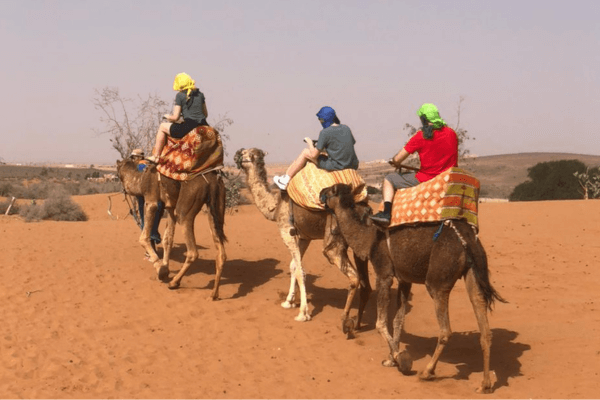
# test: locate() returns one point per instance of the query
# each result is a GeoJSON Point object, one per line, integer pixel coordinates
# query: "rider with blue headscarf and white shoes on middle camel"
{"type": "Point", "coordinates": [335, 139]}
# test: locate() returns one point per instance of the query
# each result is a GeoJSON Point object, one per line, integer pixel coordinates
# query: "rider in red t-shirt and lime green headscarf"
{"type": "Point", "coordinates": [437, 146]}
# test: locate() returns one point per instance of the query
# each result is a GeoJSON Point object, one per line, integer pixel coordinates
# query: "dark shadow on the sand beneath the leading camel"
{"type": "Point", "coordinates": [248, 274]}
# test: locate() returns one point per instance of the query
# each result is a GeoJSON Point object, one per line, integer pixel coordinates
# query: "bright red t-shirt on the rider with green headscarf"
{"type": "Point", "coordinates": [436, 155]}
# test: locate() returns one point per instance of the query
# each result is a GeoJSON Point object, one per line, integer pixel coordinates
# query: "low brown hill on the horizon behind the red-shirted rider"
{"type": "Point", "coordinates": [499, 174]}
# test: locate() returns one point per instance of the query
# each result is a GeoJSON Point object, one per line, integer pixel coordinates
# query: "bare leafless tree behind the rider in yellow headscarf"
{"type": "Point", "coordinates": [134, 124]}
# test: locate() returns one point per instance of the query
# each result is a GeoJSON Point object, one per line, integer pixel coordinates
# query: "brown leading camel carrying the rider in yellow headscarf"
{"type": "Point", "coordinates": [183, 201]}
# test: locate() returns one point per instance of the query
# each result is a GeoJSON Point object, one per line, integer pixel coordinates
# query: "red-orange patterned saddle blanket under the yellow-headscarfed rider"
{"type": "Point", "coordinates": [198, 151]}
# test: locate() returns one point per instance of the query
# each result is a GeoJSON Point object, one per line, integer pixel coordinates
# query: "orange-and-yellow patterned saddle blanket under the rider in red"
{"type": "Point", "coordinates": [454, 194]}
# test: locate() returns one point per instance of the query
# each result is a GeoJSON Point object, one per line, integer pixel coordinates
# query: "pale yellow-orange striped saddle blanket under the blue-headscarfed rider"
{"type": "Point", "coordinates": [305, 187]}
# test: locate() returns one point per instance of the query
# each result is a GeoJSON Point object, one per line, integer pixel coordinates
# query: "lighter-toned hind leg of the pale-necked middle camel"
{"type": "Point", "coordinates": [335, 250]}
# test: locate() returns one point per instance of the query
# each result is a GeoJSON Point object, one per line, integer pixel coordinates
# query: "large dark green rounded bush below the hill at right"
{"type": "Point", "coordinates": [554, 180]}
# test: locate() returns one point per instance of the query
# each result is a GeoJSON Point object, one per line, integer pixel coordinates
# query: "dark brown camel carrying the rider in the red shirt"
{"type": "Point", "coordinates": [411, 254]}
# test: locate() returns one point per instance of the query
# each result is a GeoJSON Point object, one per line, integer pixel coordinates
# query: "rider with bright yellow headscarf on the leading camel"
{"type": "Point", "coordinates": [189, 103]}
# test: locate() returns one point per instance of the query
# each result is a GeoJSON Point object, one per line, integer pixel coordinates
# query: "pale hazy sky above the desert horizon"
{"type": "Point", "coordinates": [528, 71]}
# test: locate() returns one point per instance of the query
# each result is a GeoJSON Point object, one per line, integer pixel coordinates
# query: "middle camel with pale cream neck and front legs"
{"type": "Point", "coordinates": [298, 227]}
